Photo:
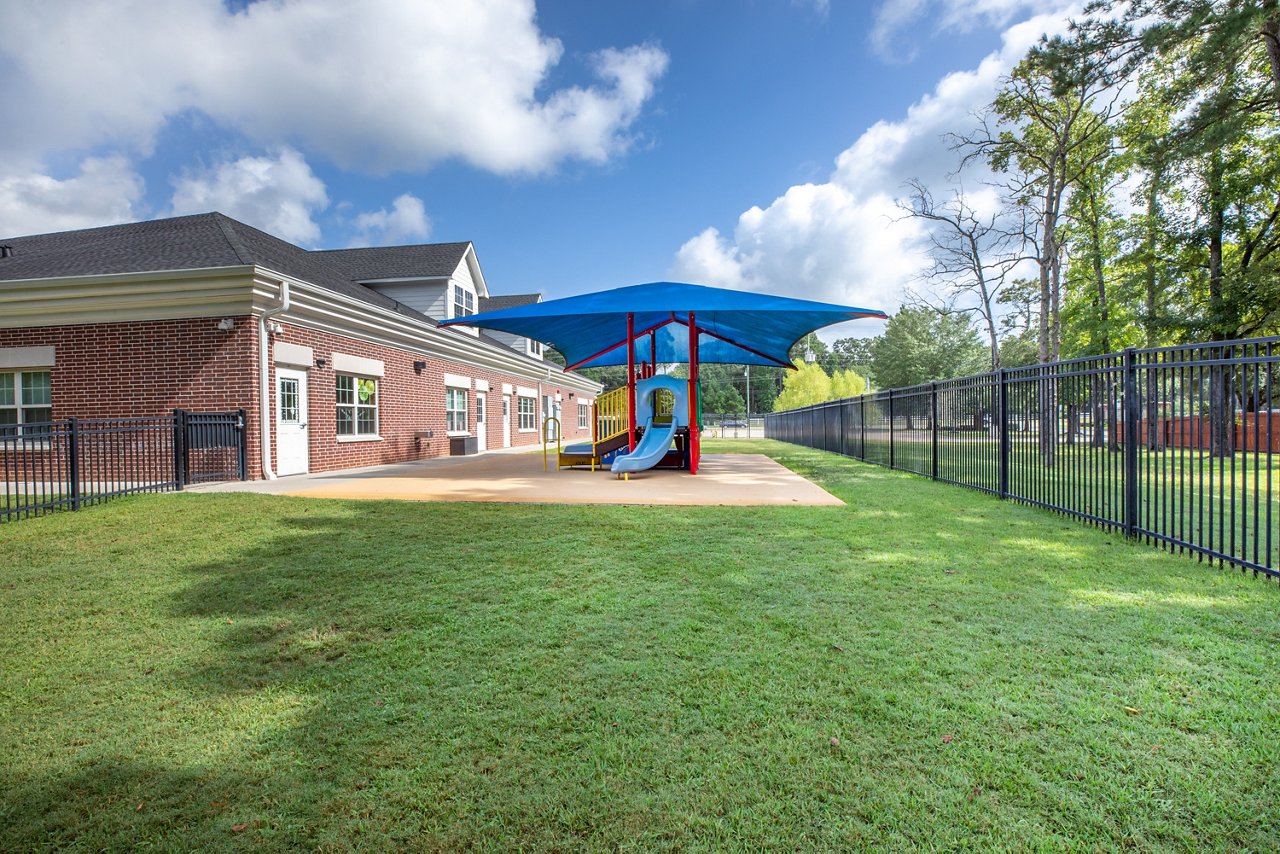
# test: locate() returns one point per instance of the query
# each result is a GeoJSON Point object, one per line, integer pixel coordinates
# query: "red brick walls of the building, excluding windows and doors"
{"type": "Point", "coordinates": [152, 368]}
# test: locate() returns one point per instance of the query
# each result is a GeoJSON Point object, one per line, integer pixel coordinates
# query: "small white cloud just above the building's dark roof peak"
{"type": "Point", "coordinates": [277, 194]}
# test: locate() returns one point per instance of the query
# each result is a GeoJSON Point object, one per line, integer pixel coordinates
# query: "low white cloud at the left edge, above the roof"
{"type": "Point", "coordinates": [106, 191]}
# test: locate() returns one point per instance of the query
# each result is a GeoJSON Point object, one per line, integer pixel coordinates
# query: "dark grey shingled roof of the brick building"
{"type": "Point", "coordinates": [207, 241]}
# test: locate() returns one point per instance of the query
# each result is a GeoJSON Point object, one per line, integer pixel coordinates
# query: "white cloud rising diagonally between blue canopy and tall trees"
{"type": "Point", "coordinates": [845, 241]}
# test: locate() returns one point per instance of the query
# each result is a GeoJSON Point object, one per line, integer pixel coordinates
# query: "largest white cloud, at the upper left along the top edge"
{"type": "Point", "coordinates": [377, 86]}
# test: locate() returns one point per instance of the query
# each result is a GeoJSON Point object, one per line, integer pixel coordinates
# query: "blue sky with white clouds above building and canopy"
{"type": "Point", "coordinates": [582, 145]}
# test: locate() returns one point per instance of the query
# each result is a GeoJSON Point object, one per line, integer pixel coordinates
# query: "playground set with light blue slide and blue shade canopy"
{"type": "Point", "coordinates": [656, 421]}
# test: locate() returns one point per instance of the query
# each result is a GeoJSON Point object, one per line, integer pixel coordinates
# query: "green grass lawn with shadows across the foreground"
{"type": "Point", "coordinates": [924, 668]}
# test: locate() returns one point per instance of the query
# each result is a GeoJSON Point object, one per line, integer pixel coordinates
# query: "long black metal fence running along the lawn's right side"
{"type": "Point", "coordinates": [1180, 446]}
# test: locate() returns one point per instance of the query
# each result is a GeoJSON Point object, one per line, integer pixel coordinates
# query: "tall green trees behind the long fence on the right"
{"type": "Point", "coordinates": [1133, 165]}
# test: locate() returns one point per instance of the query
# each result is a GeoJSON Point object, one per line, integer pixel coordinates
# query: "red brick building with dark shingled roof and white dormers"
{"type": "Point", "coordinates": [339, 349]}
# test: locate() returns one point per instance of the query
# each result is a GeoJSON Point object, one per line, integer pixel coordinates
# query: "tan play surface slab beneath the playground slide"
{"type": "Point", "coordinates": [723, 479]}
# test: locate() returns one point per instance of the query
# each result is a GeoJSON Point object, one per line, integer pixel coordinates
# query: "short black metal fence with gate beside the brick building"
{"type": "Point", "coordinates": [77, 463]}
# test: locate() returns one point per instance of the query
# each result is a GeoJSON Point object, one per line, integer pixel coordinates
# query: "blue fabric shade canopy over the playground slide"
{"type": "Point", "coordinates": [735, 327]}
